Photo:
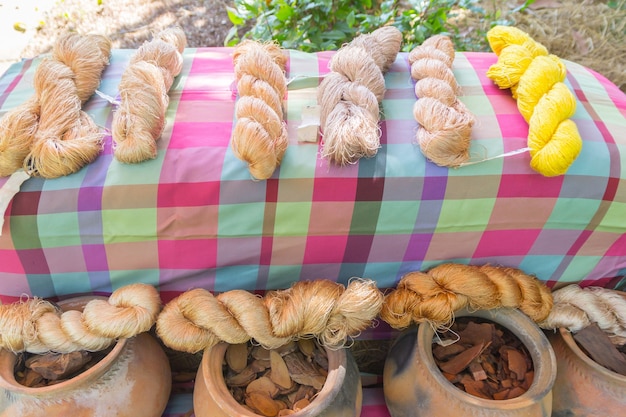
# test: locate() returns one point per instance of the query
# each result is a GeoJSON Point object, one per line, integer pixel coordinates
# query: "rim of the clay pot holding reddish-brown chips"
{"type": "Point", "coordinates": [544, 370]}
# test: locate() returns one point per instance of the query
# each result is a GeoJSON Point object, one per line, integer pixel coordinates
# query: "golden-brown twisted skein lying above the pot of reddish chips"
{"type": "Point", "coordinates": [435, 295]}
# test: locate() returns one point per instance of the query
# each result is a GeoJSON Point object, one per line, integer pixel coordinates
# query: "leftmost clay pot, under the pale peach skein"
{"type": "Point", "coordinates": [133, 380]}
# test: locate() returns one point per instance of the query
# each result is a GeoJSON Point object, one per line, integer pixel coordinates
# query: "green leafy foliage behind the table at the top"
{"type": "Point", "coordinates": [318, 25]}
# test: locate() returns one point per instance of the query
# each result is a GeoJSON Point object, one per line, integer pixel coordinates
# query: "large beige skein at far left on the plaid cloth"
{"type": "Point", "coordinates": [49, 135]}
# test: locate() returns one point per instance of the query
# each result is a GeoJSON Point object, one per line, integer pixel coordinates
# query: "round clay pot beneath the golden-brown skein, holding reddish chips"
{"type": "Point", "coordinates": [414, 386]}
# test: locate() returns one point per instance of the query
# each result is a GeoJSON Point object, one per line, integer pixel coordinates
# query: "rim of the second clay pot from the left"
{"type": "Point", "coordinates": [212, 359]}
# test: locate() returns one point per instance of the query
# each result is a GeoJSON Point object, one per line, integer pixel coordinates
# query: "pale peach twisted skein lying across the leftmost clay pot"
{"type": "Point", "coordinates": [38, 326]}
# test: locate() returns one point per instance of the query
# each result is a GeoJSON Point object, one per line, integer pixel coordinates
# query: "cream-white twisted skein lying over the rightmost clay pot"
{"type": "Point", "coordinates": [575, 308]}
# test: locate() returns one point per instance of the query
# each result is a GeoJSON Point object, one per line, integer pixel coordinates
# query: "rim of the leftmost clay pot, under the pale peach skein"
{"type": "Point", "coordinates": [8, 358]}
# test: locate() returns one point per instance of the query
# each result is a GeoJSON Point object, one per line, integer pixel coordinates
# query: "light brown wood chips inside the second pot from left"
{"type": "Point", "coordinates": [277, 382]}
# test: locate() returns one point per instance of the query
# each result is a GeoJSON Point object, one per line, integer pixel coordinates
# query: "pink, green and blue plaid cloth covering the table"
{"type": "Point", "coordinates": [193, 217]}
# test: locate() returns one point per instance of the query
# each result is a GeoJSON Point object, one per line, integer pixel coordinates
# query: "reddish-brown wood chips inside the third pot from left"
{"type": "Point", "coordinates": [486, 361]}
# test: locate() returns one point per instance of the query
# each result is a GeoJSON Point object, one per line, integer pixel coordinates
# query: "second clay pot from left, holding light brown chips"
{"type": "Point", "coordinates": [341, 395]}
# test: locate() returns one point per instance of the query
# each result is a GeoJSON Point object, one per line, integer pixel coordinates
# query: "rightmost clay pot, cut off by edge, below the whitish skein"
{"type": "Point", "coordinates": [583, 388]}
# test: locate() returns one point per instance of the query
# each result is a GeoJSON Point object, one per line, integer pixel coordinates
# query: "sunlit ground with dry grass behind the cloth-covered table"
{"type": "Point", "coordinates": [588, 32]}
